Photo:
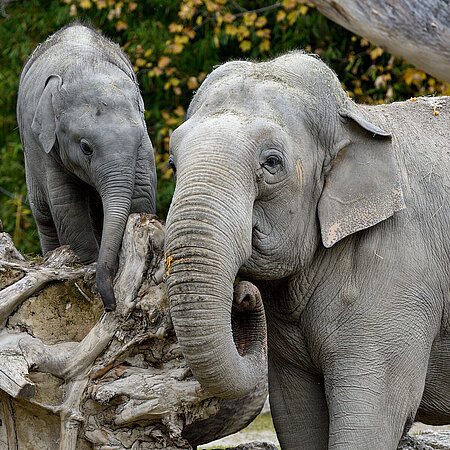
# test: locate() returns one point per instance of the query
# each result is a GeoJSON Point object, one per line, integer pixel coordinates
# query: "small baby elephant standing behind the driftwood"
{"type": "Point", "coordinates": [86, 145]}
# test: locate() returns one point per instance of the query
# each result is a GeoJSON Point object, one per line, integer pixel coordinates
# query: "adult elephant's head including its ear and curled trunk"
{"type": "Point", "coordinates": [263, 170]}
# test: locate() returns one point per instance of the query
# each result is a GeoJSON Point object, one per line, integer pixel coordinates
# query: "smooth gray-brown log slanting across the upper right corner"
{"type": "Point", "coordinates": [415, 30]}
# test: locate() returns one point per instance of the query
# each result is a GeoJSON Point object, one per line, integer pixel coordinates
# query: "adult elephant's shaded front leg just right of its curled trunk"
{"type": "Point", "coordinates": [298, 406]}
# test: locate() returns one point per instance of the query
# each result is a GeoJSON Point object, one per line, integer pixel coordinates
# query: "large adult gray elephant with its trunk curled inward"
{"type": "Point", "coordinates": [339, 214]}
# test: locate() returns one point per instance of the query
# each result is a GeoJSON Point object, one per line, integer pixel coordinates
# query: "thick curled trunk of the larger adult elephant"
{"type": "Point", "coordinates": [221, 330]}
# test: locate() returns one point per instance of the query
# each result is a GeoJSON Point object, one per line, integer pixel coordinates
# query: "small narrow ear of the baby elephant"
{"type": "Point", "coordinates": [44, 122]}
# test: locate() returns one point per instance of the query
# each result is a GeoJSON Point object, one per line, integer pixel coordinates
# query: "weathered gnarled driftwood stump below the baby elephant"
{"type": "Point", "coordinates": [75, 378]}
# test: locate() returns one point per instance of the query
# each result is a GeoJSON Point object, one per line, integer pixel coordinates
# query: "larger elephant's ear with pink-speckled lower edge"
{"type": "Point", "coordinates": [362, 186]}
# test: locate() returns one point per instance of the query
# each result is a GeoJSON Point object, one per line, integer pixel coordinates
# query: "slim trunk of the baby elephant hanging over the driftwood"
{"type": "Point", "coordinates": [116, 193]}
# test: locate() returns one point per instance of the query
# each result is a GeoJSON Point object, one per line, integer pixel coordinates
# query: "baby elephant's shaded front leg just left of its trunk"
{"type": "Point", "coordinates": [70, 210]}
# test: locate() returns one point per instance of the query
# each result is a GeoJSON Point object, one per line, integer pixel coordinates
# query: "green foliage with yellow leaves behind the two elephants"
{"type": "Point", "coordinates": [173, 45]}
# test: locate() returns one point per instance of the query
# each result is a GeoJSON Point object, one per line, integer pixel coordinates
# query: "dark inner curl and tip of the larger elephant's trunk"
{"type": "Point", "coordinates": [247, 318]}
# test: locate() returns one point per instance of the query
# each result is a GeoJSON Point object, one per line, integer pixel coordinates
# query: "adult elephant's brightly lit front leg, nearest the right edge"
{"type": "Point", "coordinates": [370, 400]}
